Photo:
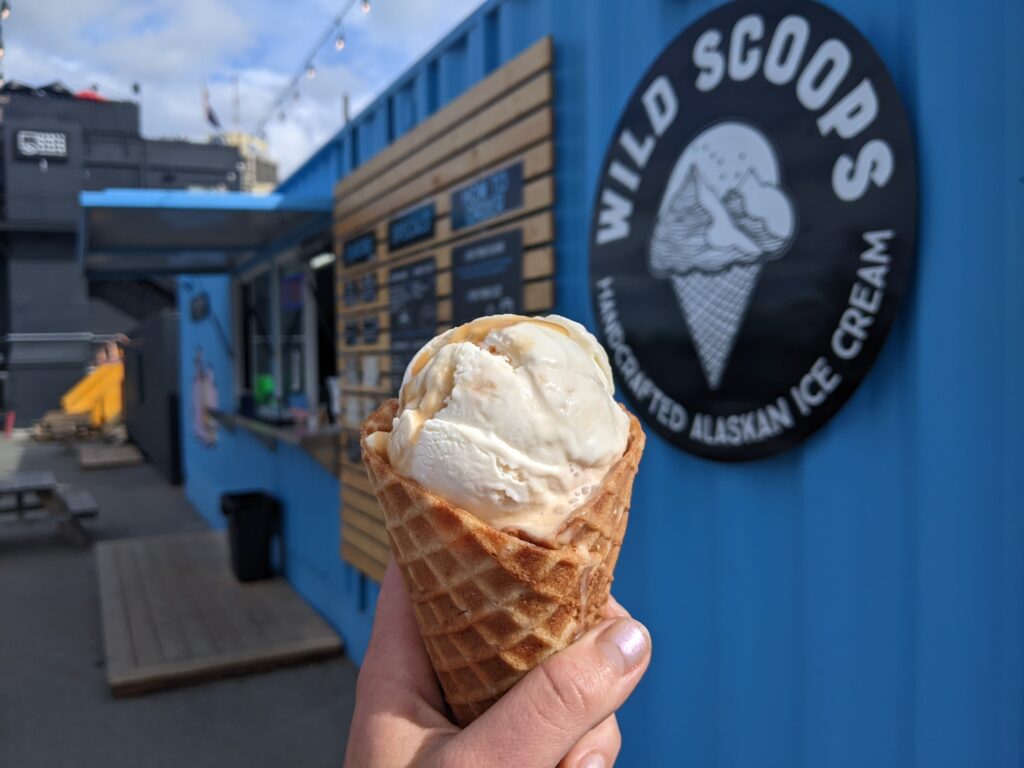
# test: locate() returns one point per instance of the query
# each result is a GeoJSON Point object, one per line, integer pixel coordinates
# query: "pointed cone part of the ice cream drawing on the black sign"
{"type": "Point", "coordinates": [714, 306]}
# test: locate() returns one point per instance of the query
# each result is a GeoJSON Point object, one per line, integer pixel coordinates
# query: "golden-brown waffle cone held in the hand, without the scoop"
{"type": "Point", "coordinates": [492, 605]}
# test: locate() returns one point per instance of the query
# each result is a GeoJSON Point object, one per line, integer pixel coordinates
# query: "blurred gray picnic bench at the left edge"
{"type": "Point", "coordinates": [39, 491]}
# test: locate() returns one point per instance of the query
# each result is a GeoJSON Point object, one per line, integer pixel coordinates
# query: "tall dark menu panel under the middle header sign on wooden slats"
{"type": "Point", "coordinates": [413, 309]}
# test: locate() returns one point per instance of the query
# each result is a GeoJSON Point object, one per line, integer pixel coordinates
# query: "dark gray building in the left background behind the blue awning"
{"type": "Point", "coordinates": [53, 147]}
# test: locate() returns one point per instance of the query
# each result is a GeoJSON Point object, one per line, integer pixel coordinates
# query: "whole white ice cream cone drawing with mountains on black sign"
{"type": "Point", "coordinates": [723, 215]}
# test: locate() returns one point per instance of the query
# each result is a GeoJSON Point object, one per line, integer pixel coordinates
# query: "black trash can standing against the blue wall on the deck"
{"type": "Point", "coordinates": [252, 523]}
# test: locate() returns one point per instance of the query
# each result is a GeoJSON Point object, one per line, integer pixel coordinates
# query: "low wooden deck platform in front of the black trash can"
{"type": "Point", "coordinates": [174, 614]}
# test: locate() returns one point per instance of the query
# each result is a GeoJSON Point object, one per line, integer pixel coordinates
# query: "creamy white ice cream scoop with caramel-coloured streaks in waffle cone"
{"type": "Point", "coordinates": [511, 419]}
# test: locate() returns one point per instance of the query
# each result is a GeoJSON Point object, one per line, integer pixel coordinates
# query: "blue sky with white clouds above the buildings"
{"type": "Point", "coordinates": [175, 49]}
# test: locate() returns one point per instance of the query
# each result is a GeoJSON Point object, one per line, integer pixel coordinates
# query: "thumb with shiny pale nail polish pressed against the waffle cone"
{"type": "Point", "coordinates": [553, 707]}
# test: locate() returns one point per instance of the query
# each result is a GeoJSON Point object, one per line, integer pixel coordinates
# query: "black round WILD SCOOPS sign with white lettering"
{"type": "Point", "coordinates": [754, 229]}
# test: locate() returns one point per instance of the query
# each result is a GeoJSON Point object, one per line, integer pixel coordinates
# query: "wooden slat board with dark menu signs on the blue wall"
{"type": "Point", "coordinates": [452, 222]}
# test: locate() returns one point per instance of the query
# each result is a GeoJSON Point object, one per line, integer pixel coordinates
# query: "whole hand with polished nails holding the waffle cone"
{"type": "Point", "coordinates": [562, 713]}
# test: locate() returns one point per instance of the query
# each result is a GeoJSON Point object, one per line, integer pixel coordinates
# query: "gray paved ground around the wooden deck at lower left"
{"type": "Point", "coordinates": [56, 708]}
